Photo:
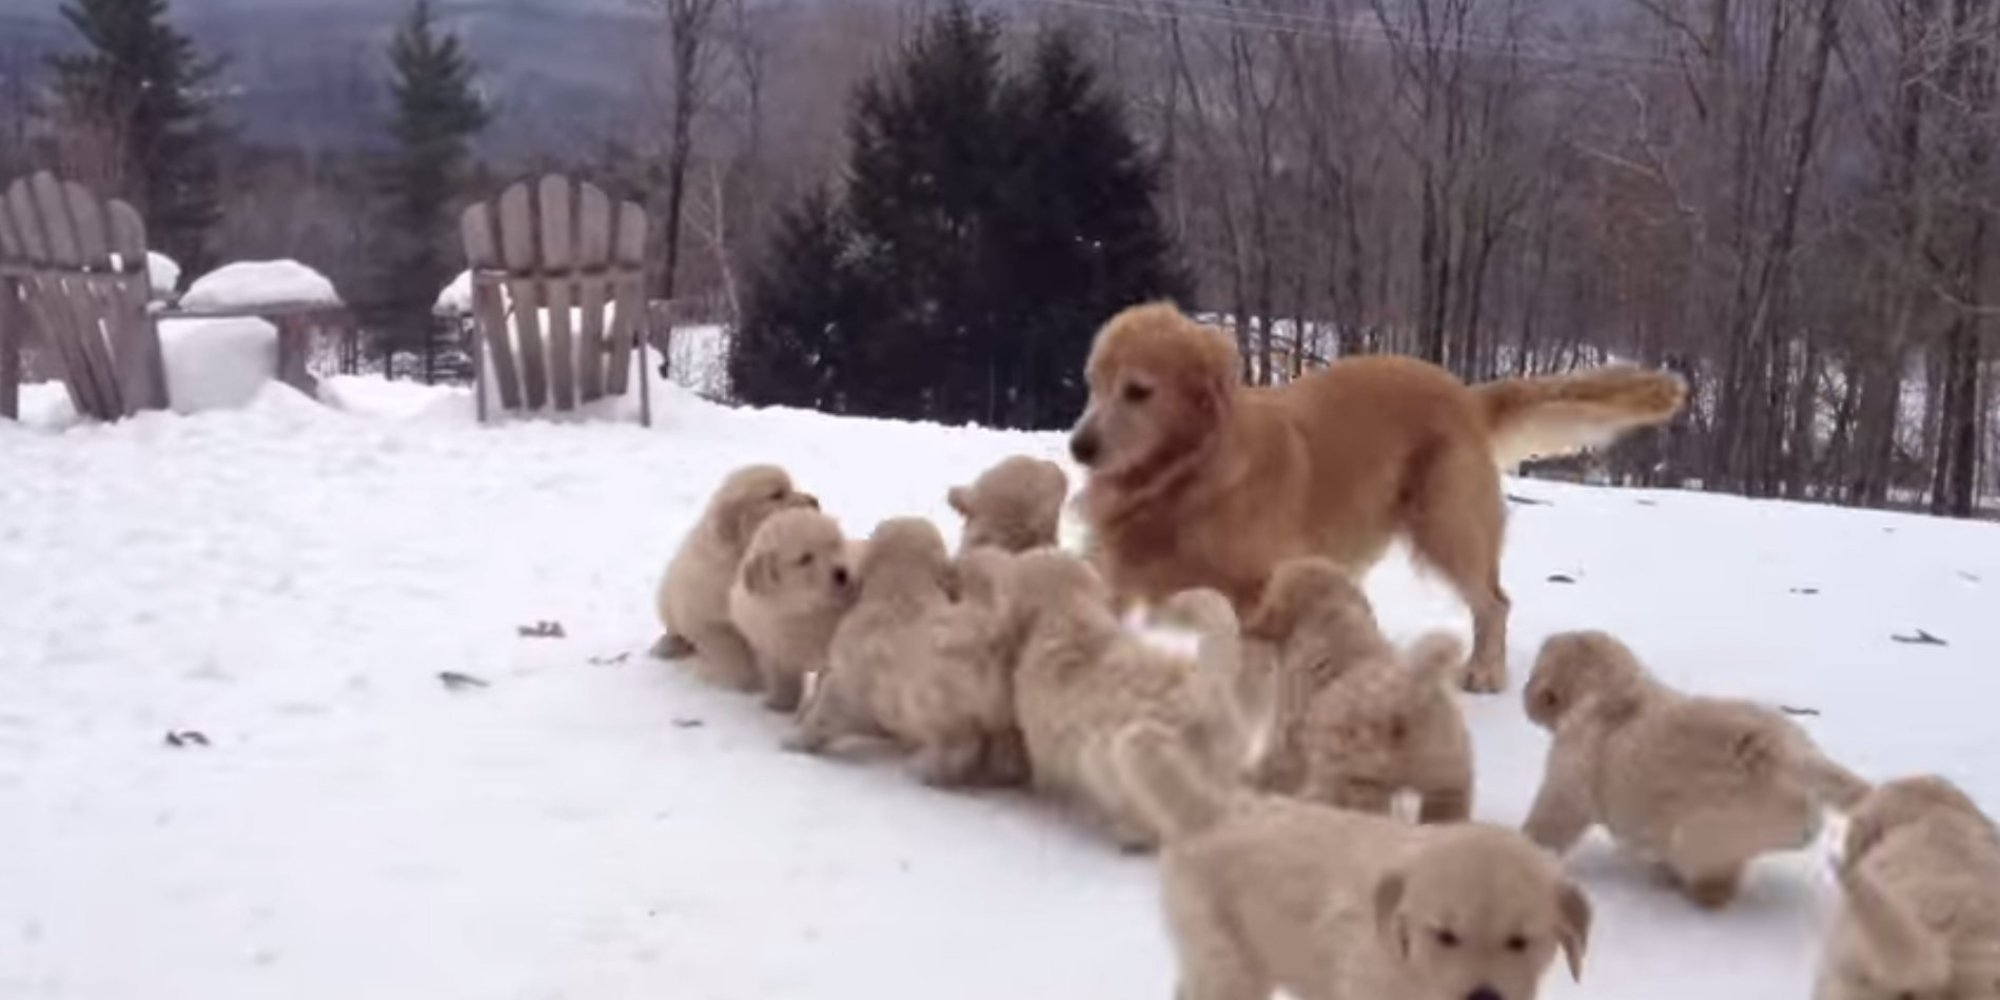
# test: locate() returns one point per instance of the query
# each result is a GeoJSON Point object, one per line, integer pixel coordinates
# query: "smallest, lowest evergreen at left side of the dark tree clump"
{"type": "Point", "coordinates": [803, 315]}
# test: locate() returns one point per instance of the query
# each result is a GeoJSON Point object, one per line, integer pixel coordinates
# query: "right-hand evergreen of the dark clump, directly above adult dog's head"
{"type": "Point", "coordinates": [1075, 237]}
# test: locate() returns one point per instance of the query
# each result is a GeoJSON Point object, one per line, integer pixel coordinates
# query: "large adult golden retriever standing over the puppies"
{"type": "Point", "coordinates": [1197, 481]}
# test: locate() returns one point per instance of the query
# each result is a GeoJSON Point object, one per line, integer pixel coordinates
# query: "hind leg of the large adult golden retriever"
{"type": "Point", "coordinates": [1457, 521]}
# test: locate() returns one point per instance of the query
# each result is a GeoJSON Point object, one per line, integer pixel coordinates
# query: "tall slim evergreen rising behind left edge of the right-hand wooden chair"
{"type": "Point", "coordinates": [437, 117]}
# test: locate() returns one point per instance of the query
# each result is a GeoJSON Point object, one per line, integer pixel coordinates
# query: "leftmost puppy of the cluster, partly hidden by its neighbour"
{"type": "Point", "coordinates": [695, 595]}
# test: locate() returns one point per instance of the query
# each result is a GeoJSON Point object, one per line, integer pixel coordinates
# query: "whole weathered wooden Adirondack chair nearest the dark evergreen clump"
{"type": "Point", "coordinates": [557, 295]}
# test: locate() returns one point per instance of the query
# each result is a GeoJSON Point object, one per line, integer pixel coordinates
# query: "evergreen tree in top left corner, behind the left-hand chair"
{"type": "Point", "coordinates": [139, 93]}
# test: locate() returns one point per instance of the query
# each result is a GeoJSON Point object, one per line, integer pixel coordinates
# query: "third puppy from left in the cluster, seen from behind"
{"type": "Point", "coordinates": [911, 665]}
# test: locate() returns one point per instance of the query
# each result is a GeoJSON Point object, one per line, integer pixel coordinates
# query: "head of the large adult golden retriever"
{"type": "Point", "coordinates": [1161, 385]}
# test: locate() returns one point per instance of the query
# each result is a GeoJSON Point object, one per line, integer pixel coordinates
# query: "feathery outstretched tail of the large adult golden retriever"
{"type": "Point", "coordinates": [1571, 413]}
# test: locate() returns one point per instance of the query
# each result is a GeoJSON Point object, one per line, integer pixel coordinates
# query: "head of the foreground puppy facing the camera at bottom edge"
{"type": "Point", "coordinates": [1477, 915]}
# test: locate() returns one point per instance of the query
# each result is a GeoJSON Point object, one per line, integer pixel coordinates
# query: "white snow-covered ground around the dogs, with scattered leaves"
{"type": "Point", "coordinates": [291, 581]}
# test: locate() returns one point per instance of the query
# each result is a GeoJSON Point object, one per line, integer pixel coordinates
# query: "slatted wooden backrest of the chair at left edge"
{"type": "Point", "coordinates": [81, 265]}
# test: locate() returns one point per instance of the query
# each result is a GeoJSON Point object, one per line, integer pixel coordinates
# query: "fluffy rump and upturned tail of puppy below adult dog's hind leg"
{"type": "Point", "coordinates": [1391, 725]}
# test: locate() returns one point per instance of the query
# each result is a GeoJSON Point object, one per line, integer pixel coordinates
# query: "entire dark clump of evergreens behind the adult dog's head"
{"type": "Point", "coordinates": [995, 227]}
